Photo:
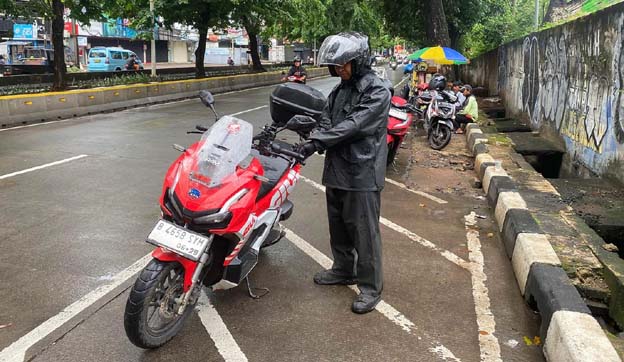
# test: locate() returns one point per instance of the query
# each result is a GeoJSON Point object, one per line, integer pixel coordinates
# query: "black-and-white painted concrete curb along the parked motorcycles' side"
{"type": "Point", "coordinates": [569, 331]}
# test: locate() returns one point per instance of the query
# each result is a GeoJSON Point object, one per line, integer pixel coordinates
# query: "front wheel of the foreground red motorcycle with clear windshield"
{"type": "Point", "coordinates": [151, 317]}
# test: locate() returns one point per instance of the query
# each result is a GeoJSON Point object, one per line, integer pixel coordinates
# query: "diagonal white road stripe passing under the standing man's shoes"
{"type": "Point", "coordinates": [384, 308]}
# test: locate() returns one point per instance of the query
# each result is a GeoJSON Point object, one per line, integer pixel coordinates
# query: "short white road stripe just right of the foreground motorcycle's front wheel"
{"type": "Point", "coordinates": [218, 331]}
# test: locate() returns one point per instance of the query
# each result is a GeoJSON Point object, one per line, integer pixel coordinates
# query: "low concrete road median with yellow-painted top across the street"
{"type": "Point", "coordinates": [24, 109]}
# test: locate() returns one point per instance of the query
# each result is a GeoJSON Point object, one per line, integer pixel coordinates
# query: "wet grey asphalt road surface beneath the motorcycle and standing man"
{"type": "Point", "coordinates": [70, 228]}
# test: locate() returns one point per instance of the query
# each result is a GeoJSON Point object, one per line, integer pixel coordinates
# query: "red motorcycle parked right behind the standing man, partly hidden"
{"type": "Point", "coordinates": [400, 119]}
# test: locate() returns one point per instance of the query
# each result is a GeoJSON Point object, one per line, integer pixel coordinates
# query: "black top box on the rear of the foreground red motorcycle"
{"type": "Point", "coordinates": [290, 99]}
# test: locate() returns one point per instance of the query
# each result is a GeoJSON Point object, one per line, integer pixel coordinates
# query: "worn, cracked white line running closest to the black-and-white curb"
{"type": "Point", "coordinates": [488, 343]}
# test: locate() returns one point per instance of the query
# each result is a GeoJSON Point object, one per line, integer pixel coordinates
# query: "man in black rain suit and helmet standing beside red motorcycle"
{"type": "Point", "coordinates": [353, 134]}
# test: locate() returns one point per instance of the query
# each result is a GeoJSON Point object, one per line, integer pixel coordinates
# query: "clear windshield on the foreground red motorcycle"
{"type": "Point", "coordinates": [224, 145]}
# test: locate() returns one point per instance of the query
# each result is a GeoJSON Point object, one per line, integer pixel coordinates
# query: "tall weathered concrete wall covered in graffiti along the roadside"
{"type": "Point", "coordinates": [568, 82]}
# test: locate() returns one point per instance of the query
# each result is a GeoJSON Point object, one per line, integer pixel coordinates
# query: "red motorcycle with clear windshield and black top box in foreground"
{"type": "Point", "coordinates": [221, 202]}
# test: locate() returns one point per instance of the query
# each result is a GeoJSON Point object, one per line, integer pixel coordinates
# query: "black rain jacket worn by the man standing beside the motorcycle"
{"type": "Point", "coordinates": [354, 129]}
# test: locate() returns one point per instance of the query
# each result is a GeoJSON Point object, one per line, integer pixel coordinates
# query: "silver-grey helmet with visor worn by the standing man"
{"type": "Point", "coordinates": [342, 48]}
